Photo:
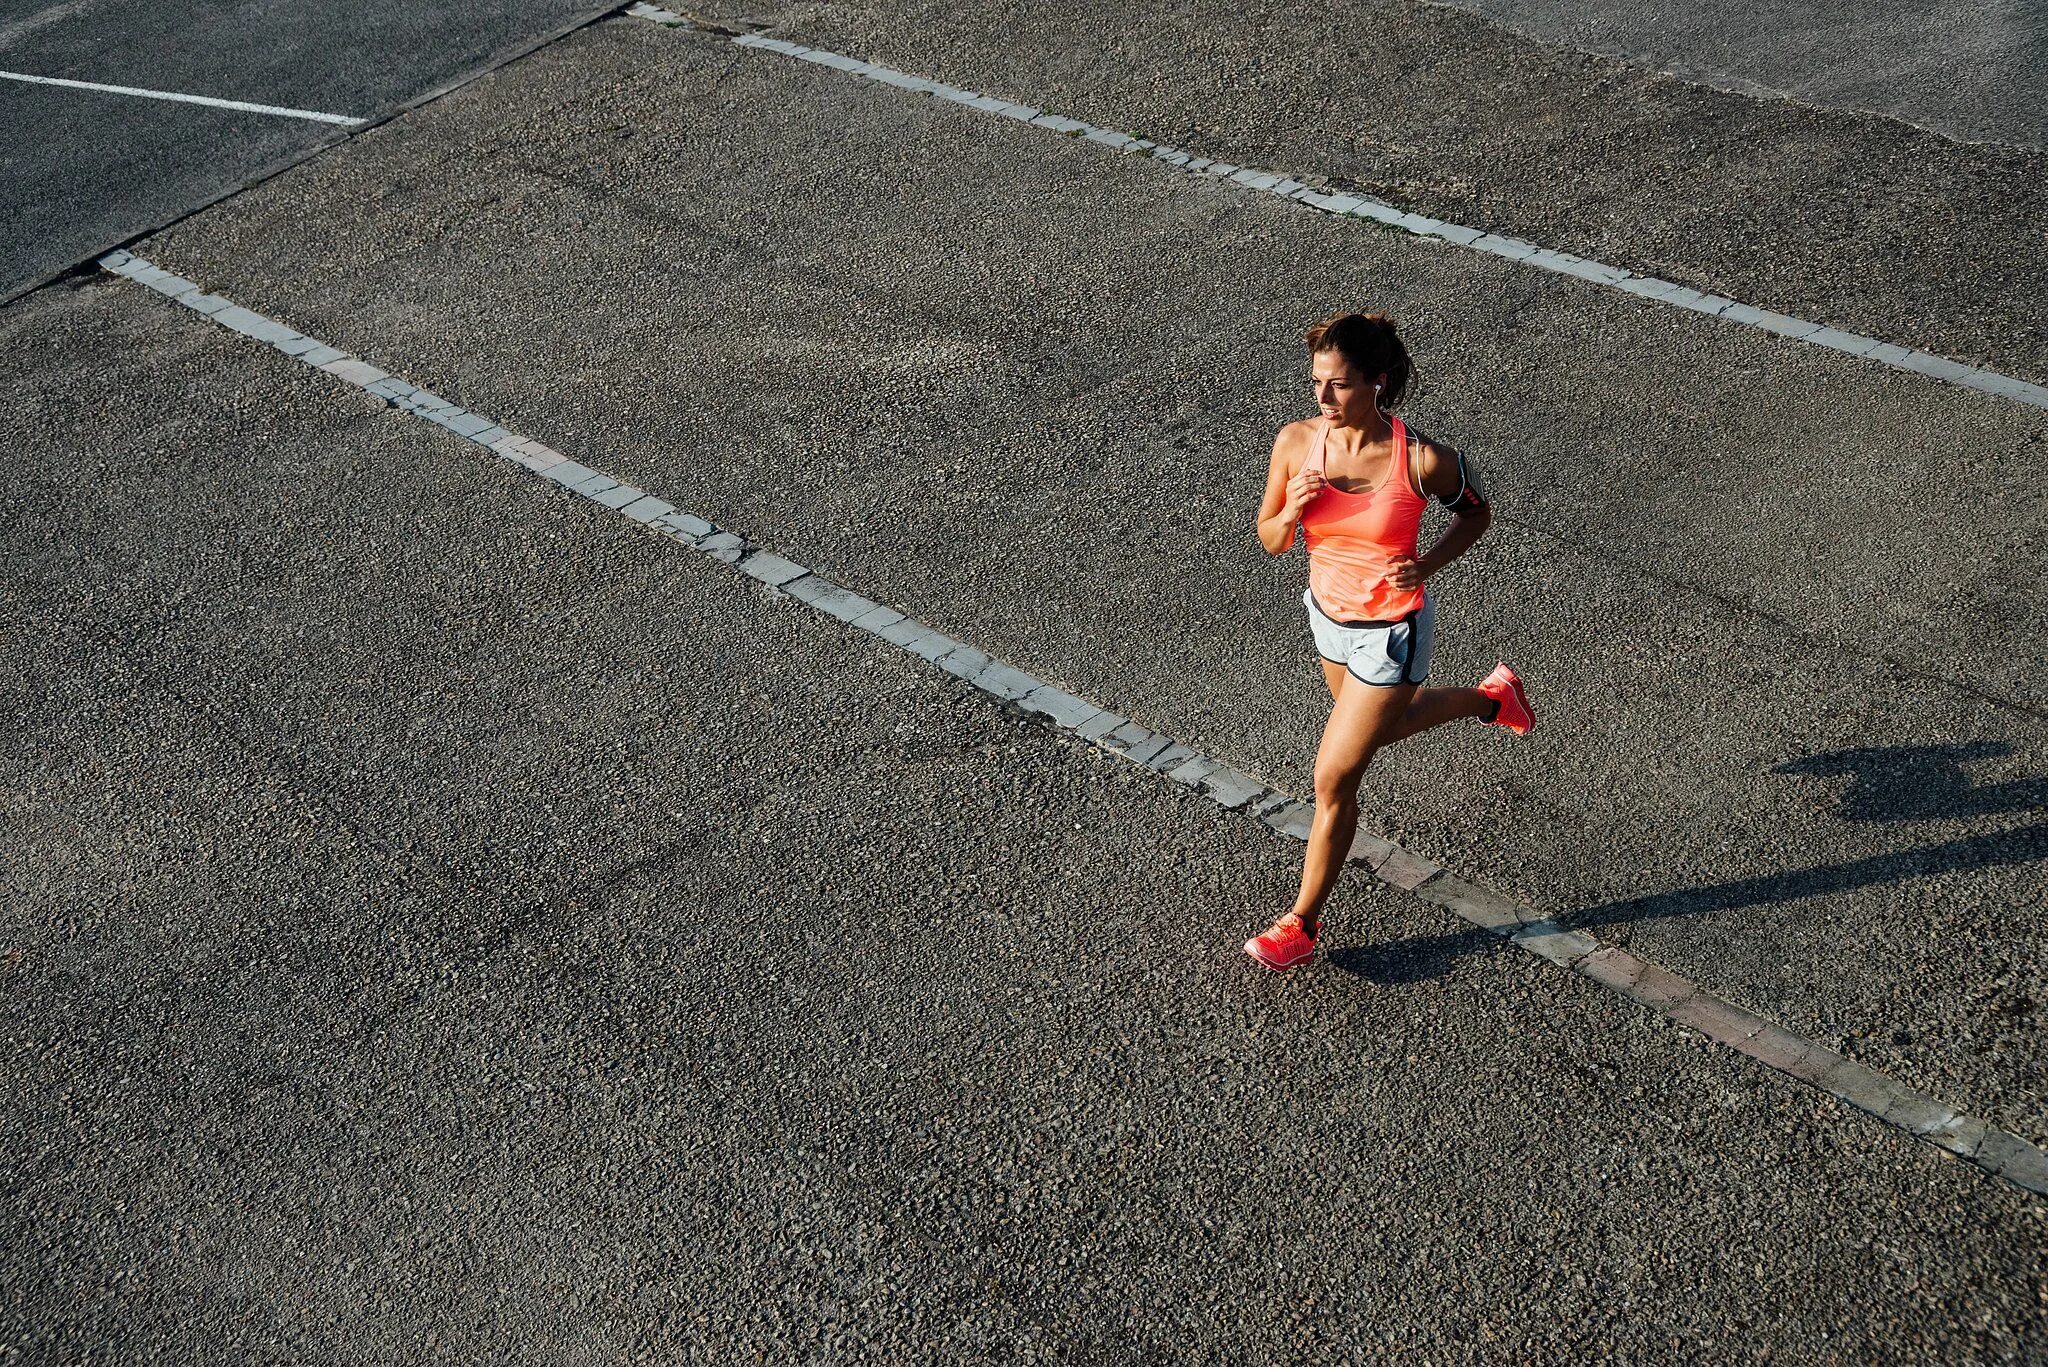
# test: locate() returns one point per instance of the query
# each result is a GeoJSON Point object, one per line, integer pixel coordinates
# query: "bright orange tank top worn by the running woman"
{"type": "Point", "coordinates": [1355, 538]}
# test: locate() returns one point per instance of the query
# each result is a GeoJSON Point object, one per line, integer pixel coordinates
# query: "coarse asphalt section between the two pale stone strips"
{"type": "Point", "coordinates": [1791, 745]}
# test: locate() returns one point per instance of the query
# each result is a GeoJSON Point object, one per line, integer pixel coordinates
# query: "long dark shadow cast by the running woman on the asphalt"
{"type": "Point", "coordinates": [1889, 784]}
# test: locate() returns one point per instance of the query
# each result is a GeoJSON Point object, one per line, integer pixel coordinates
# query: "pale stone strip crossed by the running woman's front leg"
{"type": "Point", "coordinates": [1994, 1151]}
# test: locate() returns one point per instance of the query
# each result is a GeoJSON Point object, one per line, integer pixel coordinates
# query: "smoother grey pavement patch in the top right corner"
{"type": "Point", "coordinates": [1971, 71]}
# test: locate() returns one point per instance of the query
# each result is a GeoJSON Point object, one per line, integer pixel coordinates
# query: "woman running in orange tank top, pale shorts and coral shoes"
{"type": "Point", "coordinates": [1357, 483]}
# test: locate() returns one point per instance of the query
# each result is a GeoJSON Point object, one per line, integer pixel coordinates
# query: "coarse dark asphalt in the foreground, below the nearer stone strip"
{"type": "Point", "coordinates": [443, 923]}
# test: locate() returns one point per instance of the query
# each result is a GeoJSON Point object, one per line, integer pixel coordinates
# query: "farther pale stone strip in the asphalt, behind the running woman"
{"type": "Point", "coordinates": [1361, 206]}
